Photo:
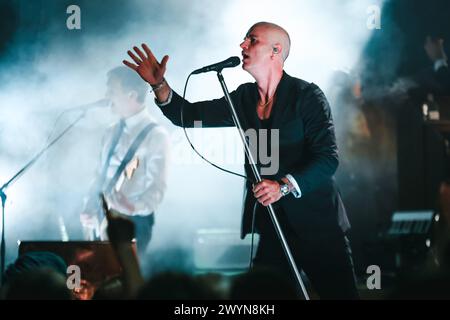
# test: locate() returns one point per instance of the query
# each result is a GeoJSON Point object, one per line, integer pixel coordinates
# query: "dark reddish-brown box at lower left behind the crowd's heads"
{"type": "Point", "coordinates": [96, 259]}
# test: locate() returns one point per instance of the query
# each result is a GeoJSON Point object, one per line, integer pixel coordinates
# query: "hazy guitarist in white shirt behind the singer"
{"type": "Point", "coordinates": [133, 164]}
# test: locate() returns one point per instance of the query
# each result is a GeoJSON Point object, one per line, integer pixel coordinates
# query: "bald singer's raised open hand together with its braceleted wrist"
{"type": "Point", "coordinates": [150, 70]}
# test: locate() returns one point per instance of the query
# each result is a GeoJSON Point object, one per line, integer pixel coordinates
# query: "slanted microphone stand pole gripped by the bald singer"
{"type": "Point", "coordinates": [275, 222]}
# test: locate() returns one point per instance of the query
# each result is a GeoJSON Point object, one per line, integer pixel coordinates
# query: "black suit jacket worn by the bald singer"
{"type": "Point", "coordinates": [307, 149]}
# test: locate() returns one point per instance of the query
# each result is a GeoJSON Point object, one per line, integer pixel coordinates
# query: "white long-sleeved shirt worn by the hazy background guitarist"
{"type": "Point", "coordinates": [143, 181]}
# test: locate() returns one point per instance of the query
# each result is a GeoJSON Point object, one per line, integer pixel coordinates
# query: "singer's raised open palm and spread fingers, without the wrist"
{"type": "Point", "coordinates": [146, 65]}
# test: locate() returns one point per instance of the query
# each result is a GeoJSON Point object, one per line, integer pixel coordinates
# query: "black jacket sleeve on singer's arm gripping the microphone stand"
{"type": "Point", "coordinates": [320, 142]}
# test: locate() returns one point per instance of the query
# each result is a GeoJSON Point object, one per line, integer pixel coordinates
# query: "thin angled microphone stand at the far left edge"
{"type": "Point", "coordinates": [15, 177]}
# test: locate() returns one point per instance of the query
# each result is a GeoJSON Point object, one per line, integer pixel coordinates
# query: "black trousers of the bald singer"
{"type": "Point", "coordinates": [325, 258]}
